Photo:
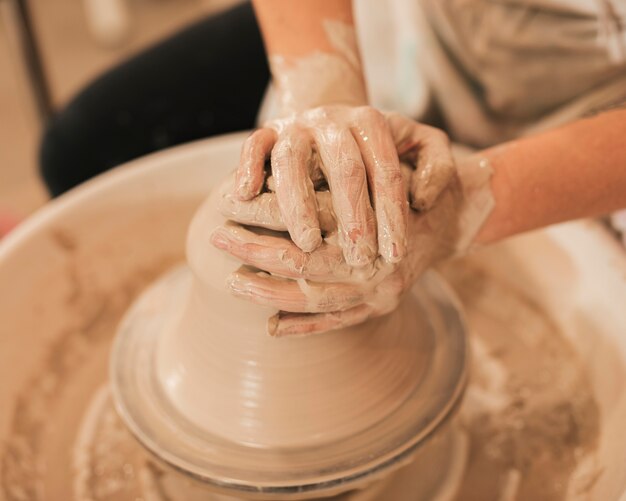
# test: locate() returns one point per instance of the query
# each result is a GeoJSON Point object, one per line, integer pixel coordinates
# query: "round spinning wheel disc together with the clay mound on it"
{"type": "Point", "coordinates": [202, 386]}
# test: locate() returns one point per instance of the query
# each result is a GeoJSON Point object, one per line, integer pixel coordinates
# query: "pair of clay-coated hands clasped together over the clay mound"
{"type": "Point", "coordinates": [323, 289]}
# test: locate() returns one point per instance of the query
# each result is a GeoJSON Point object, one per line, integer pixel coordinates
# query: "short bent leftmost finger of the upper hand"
{"type": "Point", "coordinates": [251, 172]}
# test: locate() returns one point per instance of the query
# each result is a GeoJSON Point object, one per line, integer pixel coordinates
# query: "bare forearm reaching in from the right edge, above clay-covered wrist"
{"type": "Point", "coordinates": [578, 170]}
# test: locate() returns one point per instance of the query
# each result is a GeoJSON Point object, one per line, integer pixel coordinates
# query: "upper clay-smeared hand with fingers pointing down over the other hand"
{"type": "Point", "coordinates": [356, 149]}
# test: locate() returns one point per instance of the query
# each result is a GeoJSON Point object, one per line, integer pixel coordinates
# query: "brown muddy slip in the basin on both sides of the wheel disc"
{"type": "Point", "coordinates": [529, 411]}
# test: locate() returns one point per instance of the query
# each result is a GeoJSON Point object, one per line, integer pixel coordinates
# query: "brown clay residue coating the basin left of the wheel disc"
{"type": "Point", "coordinates": [48, 409]}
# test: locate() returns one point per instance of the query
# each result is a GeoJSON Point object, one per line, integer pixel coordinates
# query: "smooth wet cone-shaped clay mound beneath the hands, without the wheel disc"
{"type": "Point", "coordinates": [267, 392]}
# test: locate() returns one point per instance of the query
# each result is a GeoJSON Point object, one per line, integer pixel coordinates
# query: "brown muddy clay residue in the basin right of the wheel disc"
{"type": "Point", "coordinates": [529, 411]}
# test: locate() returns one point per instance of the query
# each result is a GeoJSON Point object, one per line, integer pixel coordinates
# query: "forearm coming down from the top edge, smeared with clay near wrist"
{"type": "Point", "coordinates": [313, 53]}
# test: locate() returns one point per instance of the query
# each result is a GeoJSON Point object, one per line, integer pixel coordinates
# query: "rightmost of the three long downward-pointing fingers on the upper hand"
{"type": "Point", "coordinates": [385, 181]}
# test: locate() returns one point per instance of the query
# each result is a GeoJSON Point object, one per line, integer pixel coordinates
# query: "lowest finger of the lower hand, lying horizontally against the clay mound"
{"type": "Point", "coordinates": [290, 324]}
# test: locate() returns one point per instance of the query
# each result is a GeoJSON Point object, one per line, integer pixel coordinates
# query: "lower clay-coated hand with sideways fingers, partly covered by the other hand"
{"type": "Point", "coordinates": [320, 291]}
